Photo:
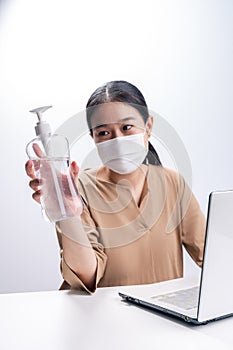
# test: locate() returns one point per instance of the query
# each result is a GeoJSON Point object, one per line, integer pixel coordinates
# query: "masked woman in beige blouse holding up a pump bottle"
{"type": "Point", "coordinates": [137, 215]}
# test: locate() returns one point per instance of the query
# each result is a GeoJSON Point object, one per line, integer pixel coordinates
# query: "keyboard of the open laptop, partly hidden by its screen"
{"type": "Point", "coordinates": [185, 298]}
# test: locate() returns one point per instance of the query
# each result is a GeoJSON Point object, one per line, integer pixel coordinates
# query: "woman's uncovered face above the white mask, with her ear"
{"type": "Point", "coordinates": [116, 119]}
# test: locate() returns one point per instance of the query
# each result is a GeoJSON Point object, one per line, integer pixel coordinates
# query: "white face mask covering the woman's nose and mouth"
{"type": "Point", "coordinates": [123, 154]}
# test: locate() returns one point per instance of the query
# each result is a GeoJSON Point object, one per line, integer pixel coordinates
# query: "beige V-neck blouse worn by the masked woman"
{"type": "Point", "coordinates": [138, 244]}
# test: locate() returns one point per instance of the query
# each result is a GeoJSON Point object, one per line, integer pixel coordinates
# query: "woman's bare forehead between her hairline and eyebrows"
{"type": "Point", "coordinates": [114, 112]}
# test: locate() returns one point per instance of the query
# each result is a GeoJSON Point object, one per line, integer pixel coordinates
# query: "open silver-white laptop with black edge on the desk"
{"type": "Point", "coordinates": [210, 297]}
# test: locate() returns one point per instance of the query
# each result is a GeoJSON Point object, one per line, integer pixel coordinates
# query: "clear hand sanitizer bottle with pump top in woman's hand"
{"type": "Point", "coordinates": [50, 155]}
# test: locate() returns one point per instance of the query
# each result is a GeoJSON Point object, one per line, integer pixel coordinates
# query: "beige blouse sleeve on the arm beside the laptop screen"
{"type": "Point", "coordinates": [193, 224]}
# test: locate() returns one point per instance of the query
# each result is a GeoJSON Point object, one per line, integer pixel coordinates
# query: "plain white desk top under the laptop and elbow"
{"type": "Point", "coordinates": [65, 320]}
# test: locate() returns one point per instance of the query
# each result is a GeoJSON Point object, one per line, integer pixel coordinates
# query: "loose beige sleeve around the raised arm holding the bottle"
{"type": "Point", "coordinates": [72, 280]}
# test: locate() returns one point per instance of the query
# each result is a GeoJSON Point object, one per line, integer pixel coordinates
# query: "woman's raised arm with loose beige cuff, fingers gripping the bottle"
{"type": "Point", "coordinates": [82, 266]}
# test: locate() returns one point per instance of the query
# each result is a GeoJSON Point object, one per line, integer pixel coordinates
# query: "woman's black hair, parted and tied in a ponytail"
{"type": "Point", "coordinates": [122, 91]}
